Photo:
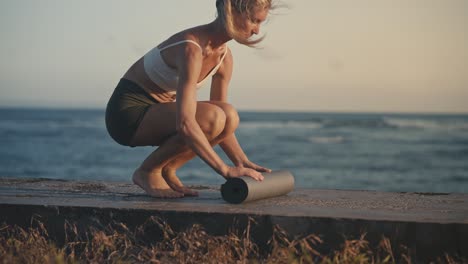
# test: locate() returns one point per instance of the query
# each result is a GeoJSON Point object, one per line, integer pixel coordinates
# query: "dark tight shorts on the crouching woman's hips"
{"type": "Point", "coordinates": [126, 109]}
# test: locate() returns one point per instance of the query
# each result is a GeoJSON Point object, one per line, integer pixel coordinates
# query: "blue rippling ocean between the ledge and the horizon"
{"type": "Point", "coordinates": [355, 151]}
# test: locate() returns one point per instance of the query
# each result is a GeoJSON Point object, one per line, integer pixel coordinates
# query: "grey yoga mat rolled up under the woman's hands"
{"type": "Point", "coordinates": [246, 189]}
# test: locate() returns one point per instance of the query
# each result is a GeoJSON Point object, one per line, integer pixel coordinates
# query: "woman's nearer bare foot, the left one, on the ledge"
{"type": "Point", "coordinates": [154, 184]}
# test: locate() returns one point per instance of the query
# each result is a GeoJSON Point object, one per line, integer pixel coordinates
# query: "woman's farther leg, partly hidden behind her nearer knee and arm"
{"type": "Point", "coordinates": [169, 170]}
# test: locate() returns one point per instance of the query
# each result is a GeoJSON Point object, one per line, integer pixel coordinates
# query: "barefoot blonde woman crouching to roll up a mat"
{"type": "Point", "coordinates": [155, 104]}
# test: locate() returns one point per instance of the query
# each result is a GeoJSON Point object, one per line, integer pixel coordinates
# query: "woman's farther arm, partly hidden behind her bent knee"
{"type": "Point", "coordinates": [219, 92]}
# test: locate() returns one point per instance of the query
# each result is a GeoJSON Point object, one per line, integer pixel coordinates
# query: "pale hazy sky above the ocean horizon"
{"type": "Point", "coordinates": [328, 55]}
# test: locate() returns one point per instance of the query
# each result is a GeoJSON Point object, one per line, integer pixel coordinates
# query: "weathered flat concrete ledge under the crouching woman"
{"type": "Point", "coordinates": [429, 224]}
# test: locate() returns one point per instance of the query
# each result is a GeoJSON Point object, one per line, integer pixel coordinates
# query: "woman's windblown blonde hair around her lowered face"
{"type": "Point", "coordinates": [228, 9]}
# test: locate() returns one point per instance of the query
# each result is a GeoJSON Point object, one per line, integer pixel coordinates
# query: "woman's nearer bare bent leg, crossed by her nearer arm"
{"type": "Point", "coordinates": [158, 127]}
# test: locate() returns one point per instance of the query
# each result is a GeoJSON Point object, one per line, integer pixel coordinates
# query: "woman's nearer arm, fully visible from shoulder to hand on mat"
{"type": "Point", "coordinates": [189, 66]}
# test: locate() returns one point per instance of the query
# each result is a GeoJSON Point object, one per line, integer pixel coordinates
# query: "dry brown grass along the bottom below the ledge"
{"type": "Point", "coordinates": [156, 242]}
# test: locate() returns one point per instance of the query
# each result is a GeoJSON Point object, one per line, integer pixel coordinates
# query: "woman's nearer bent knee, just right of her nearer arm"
{"type": "Point", "coordinates": [212, 120]}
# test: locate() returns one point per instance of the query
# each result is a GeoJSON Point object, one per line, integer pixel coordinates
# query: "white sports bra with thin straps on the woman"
{"type": "Point", "coordinates": [164, 76]}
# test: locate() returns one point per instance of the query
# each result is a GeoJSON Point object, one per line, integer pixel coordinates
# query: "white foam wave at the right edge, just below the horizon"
{"type": "Point", "coordinates": [427, 124]}
